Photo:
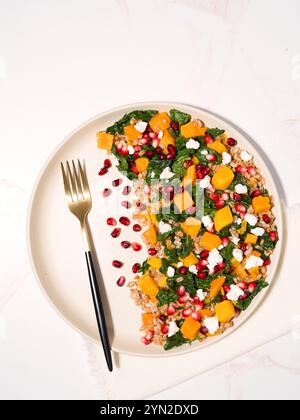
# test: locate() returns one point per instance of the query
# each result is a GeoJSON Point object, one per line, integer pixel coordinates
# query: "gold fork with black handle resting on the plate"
{"type": "Point", "coordinates": [80, 203]}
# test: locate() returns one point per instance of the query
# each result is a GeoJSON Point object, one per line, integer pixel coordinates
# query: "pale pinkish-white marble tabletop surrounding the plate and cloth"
{"type": "Point", "coordinates": [62, 62]}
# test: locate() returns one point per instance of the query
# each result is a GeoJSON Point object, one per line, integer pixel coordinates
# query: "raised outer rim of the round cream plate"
{"type": "Point", "coordinates": [124, 108]}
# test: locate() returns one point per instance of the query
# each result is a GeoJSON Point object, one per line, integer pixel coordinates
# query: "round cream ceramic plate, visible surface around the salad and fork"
{"type": "Point", "coordinates": [55, 243]}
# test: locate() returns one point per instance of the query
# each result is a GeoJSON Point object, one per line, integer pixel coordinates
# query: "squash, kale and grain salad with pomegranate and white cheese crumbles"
{"type": "Point", "coordinates": [206, 220]}
